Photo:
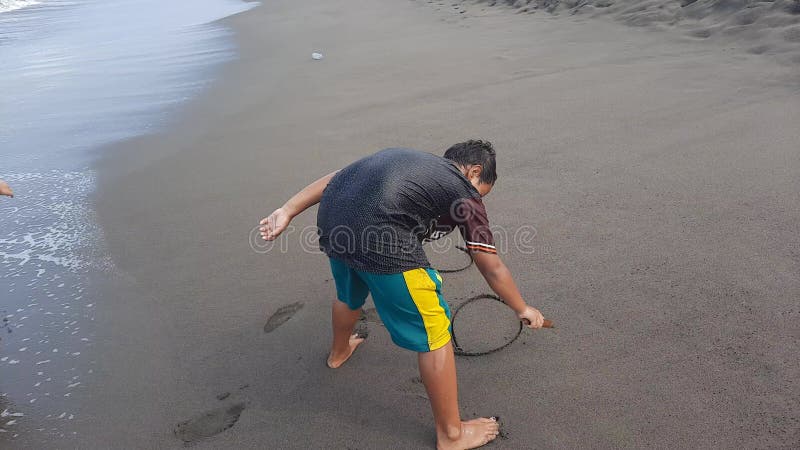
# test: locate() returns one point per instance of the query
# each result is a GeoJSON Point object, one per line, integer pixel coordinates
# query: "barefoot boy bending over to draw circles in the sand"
{"type": "Point", "coordinates": [373, 217]}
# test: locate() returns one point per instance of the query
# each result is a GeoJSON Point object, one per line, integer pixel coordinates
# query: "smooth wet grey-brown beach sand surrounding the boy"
{"type": "Point", "coordinates": [660, 175]}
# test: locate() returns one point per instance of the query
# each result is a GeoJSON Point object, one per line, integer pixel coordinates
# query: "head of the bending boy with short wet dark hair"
{"type": "Point", "coordinates": [476, 161]}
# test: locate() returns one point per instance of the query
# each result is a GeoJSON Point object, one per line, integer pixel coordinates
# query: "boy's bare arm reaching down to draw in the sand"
{"type": "Point", "coordinates": [502, 283]}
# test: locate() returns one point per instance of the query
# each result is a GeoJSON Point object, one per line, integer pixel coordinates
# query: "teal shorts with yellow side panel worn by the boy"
{"type": "Point", "coordinates": [410, 304]}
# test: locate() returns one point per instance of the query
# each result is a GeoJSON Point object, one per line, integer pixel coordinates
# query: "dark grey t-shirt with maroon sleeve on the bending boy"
{"type": "Point", "coordinates": [376, 212]}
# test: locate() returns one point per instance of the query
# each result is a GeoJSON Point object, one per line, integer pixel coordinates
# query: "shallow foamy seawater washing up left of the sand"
{"type": "Point", "coordinates": [51, 249]}
